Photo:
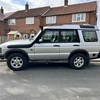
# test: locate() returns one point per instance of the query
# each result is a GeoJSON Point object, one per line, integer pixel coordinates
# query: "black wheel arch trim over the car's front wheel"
{"type": "Point", "coordinates": [16, 51]}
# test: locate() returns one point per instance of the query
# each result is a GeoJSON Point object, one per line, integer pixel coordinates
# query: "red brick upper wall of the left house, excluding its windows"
{"type": "Point", "coordinates": [22, 27]}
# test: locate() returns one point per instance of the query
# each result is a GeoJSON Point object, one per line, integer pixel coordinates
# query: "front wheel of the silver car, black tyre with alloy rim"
{"type": "Point", "coordinates": [16, 61]}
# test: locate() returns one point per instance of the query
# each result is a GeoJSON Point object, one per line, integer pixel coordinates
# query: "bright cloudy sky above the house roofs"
{"type": "Point", "coordinates": [14, 5]}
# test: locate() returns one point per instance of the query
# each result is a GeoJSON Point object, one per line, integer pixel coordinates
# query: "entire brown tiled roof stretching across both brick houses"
{"type": "Point", "coordinates": [76, 8]}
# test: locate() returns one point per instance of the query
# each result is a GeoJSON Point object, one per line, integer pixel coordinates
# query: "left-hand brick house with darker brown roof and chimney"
{"type": "Point", "coordinates": [26, 21]}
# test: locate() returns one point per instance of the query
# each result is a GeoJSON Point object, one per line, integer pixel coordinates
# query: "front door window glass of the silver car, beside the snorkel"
{"type": "Point", "coordinates": [50, 36]}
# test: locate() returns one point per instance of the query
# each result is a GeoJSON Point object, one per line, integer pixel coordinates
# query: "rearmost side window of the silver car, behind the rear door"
{"type": "Point", "coordinates": [89, 36]}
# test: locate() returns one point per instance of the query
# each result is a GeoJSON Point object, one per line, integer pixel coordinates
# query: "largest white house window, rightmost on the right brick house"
{"type": "Point", "coordinates": [79, 17]}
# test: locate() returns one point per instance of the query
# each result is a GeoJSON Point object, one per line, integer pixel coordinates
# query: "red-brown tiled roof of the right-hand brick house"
{"type": "Point", "coordinates": [76, 8]}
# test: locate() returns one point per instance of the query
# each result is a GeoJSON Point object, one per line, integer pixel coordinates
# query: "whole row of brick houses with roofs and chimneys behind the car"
{"type": "Point", "coordinates": [28, 21]}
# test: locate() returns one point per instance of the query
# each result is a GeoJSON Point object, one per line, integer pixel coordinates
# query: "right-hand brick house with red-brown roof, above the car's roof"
{"type": "Point", "coordinates": [84, 13]}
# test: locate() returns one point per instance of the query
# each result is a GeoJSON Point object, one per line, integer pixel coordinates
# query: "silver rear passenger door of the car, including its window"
{"type": "Point", "coordinates": [69, 42]}
